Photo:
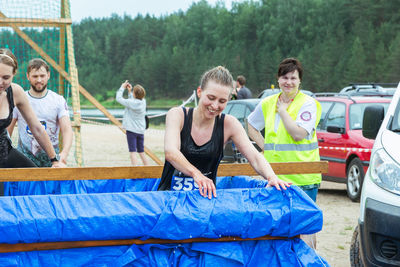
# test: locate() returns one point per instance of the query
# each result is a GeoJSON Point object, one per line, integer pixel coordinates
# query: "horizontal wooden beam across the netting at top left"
{"type": "Point", "coordinates": [29, 22]}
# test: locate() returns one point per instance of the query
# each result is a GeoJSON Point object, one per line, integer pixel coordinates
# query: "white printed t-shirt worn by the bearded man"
{"type": "Point", "coordinates": [49, 109]}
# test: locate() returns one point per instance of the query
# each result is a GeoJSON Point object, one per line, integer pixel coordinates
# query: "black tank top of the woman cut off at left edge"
{"type": "Point", "coordinates": [5, 142]}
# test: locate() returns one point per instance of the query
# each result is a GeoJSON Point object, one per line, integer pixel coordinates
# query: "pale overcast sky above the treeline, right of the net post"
{"type": "Point", "coordinates": [104, 8]}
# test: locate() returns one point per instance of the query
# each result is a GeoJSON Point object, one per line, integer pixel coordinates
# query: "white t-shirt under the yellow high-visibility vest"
{"type": "Point", "coordinates": [305, 118]}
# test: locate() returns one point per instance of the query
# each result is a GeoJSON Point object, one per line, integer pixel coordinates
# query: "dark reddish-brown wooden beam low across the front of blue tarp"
{"type": "Point", "coordinates": [21, 247]}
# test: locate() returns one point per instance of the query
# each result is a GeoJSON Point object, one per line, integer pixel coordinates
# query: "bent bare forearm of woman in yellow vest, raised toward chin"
{"type": "Point", "coordinates": [296, 132]}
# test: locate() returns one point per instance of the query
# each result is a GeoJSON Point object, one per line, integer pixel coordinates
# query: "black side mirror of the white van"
{"type": "Point", "coordinates": [372, 120]}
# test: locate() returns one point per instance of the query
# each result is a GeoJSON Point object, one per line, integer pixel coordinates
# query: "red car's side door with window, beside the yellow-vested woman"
{"type": "Point", "coordinates": [331, 143]}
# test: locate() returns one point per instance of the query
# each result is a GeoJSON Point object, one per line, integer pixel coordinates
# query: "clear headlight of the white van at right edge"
{"type": "Point", "coordinates": [385, 172]}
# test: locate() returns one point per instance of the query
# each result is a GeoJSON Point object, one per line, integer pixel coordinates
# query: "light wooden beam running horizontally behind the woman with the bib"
{"type": "Point", "coordinates": [100, 173]}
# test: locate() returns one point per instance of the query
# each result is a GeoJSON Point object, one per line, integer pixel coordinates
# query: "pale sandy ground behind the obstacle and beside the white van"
{"type": "Point", "coordinates": [105, 145]}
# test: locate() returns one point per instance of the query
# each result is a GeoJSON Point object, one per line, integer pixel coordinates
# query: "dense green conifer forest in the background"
{"type": "Point", "coordinates": [337, 41]}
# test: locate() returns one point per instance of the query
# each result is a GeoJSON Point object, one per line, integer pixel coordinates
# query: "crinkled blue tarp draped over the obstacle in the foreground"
{"type": "Point", "coordinates": [241, 212]}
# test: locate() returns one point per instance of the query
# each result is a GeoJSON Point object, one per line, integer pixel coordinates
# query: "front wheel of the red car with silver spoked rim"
{"type": "Point", "coordinates": [355, 178]}
